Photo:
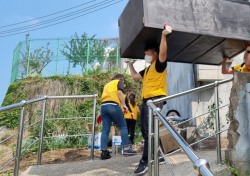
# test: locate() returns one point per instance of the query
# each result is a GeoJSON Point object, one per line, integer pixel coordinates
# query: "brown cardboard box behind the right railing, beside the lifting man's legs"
{"type": "Point", "coordinates": [168, 142]}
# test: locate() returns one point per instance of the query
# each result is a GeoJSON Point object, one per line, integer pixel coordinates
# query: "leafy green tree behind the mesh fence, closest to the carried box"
{"type": "Point", "coordinates": [86, 51]}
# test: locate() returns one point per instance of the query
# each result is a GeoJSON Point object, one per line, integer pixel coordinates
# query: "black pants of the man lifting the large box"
{"type": "Point", "coordinates": [144, 127]}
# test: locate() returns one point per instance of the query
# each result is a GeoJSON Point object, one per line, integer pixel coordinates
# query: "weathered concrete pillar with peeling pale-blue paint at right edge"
{"type": "Point", "coordinates": [238, 151]}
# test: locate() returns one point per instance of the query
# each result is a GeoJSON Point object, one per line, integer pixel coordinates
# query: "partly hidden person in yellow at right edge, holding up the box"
{"type": "Point", "coordinates": [244, 67]}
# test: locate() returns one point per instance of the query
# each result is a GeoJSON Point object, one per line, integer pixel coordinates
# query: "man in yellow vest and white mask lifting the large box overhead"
{"type": "Point", "coordinates": [154, 85]}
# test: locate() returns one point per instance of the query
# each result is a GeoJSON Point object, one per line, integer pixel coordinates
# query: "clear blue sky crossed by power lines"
{"type": "Point", "coordinates": [103, 23]}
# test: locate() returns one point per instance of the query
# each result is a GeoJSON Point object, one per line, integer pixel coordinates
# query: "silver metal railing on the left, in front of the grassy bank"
{"type": "Point", "coordinates": [21, 128]}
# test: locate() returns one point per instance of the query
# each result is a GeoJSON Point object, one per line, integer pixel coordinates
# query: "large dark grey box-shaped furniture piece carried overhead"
{"type": "Point", "coordinates": [204, 31]}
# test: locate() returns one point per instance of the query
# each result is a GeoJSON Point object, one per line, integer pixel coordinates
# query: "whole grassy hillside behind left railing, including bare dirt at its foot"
{"type": "Point", "coordinates": [73, 132]}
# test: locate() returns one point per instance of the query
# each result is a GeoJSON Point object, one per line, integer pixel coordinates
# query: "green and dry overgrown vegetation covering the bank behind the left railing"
{"type": "Point", "coordinates": [34, 87]}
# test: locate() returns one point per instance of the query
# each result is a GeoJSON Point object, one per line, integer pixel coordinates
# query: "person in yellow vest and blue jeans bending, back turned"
{"type": "Point", "coordinates": [111, 100]}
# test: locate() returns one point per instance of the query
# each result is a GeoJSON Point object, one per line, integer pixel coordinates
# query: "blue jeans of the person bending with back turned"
{"type": "Point", "coordinates": [113, 113]}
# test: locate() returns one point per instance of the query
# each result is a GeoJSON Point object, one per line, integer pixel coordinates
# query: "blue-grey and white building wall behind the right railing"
{"type": "Point", "coordinates": [183, 77]}
